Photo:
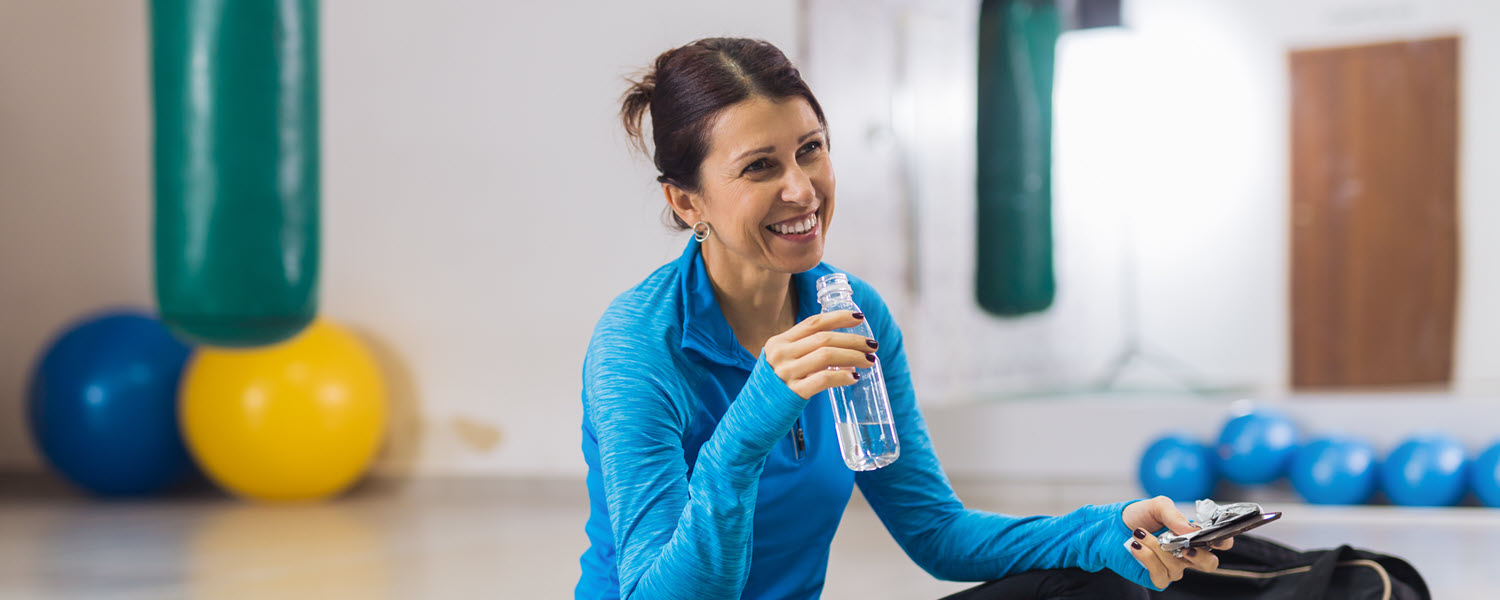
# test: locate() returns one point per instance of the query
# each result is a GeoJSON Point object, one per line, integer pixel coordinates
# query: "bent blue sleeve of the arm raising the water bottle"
{"type": "Point", "coordinates": [682, 538]}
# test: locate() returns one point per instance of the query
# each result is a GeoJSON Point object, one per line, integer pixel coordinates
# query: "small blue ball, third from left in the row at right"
{"type": "Point", "coordinates": [1336, 470]}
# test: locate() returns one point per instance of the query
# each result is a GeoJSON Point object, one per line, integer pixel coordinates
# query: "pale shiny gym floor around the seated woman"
{"type": "Point", "coordinates": [521, 539]}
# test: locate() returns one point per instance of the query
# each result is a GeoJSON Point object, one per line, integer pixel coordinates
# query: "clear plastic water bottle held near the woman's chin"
{"type": "Point", "coordinates": [862, 410]}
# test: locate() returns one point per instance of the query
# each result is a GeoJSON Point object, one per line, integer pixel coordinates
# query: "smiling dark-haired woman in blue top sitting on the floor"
{"type": "Point", "coordinates": [715, 470]}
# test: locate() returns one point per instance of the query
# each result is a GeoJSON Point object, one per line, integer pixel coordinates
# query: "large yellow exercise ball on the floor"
{"type": "Point", "coordinates": [295, 421]}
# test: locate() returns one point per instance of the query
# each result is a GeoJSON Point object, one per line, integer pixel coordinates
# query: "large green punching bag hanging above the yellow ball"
{"type": "Point", "coordinates": [236, 107]}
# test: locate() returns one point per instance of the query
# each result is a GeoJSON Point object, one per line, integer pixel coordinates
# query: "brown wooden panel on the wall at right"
{"type": "Point", "coordinates": [1375, 221]}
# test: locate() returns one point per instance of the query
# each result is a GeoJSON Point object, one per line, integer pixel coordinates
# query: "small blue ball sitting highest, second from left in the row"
{"type": "Point", "coordinates": [1256, 448]}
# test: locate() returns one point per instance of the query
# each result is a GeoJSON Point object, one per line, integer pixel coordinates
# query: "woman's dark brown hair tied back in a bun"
{"type": "Point", "coordinates": [688, 88]}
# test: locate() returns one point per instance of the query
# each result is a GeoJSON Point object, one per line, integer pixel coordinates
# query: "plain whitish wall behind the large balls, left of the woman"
{"type": "Point", "coordinates": [481, 205]}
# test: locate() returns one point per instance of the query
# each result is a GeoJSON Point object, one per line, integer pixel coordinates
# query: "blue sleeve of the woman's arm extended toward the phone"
{"type": "Point", "coordinates": [916, 502]}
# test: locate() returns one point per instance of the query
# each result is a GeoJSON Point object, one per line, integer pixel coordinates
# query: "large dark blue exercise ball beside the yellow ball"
{"type": "Point", "coordinates": [103, 406]}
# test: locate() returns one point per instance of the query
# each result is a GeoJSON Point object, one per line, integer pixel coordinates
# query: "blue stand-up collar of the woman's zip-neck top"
{"type": "Point", "coordinates": [706, 331]}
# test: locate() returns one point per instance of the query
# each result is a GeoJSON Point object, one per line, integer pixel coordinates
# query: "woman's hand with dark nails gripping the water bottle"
{"type": "Point", "coordinates": [803, 355]}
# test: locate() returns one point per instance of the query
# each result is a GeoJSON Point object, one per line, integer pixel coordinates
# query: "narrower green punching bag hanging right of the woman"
{"type": "Point", "coordinates": [1018, 46]}
